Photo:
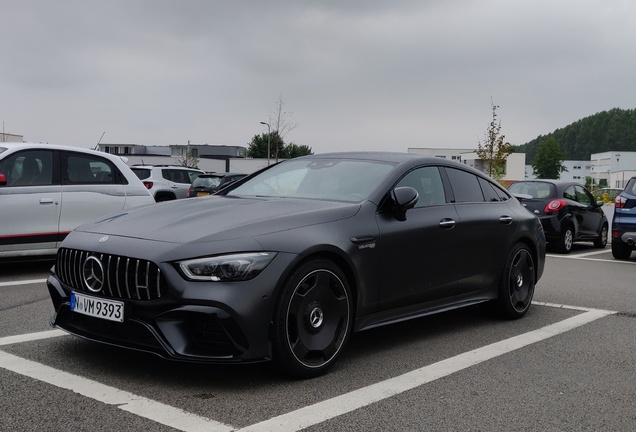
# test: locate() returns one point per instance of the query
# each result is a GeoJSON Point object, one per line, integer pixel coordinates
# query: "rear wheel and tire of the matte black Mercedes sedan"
{"type": "Point", "coordinates": [516, 286]}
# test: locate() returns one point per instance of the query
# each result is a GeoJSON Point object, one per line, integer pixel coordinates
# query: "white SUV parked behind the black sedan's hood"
{"type": "Point", "coordinates": [166, 182]}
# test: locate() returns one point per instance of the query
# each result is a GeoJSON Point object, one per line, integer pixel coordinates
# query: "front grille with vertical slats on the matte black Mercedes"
{"type": "Point", "coordinates": [123, 277]}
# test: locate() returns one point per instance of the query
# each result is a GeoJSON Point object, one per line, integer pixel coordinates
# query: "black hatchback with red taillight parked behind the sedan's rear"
{"type": "Point", "coordinates": [568, 212]}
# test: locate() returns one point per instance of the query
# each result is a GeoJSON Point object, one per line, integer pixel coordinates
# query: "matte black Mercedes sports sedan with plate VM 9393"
{"type": "Point", "coordinates": [288, 263]}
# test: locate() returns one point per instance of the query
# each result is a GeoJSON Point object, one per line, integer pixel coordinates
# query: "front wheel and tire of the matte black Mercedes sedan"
{"type": "Point", "coordinates": [313, 319]}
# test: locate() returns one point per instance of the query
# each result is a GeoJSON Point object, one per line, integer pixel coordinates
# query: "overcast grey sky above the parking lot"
{"type": "Point", "coordinates": [353, 75]}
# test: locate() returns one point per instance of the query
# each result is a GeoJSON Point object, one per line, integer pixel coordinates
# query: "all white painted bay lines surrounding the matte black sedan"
{"type": "Point", "coordinates": [303, 417]}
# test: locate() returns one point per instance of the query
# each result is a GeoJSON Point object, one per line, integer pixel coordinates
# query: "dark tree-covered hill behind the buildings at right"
{"type": "Point", "coordinates": [605, 131]}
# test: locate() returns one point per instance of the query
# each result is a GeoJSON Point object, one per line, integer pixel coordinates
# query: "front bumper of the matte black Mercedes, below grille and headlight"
{"type": "Point", "coordinates": [190, 321]}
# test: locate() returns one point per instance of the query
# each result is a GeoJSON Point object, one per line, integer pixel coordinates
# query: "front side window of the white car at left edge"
{"type": "Point", "coordinates": [28, 168]}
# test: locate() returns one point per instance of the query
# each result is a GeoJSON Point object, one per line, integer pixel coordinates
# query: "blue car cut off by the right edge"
{"type": "Point", "coordinates": [624, 222]}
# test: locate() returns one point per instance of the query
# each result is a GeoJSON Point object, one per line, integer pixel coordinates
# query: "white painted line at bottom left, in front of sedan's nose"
{"type": "Point", "coordinates": [140, 406]}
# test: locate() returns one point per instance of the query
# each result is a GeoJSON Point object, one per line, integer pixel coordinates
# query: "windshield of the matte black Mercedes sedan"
{"type": "Point", "coordinates": [324, 179]}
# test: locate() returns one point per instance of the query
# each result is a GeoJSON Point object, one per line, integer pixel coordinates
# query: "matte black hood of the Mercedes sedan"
{"type": "Point", "coordinates": [218, 218]}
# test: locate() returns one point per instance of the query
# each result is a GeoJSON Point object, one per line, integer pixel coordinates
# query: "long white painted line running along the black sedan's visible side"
{"type": "Point", "coordinates": [328, 409]}
